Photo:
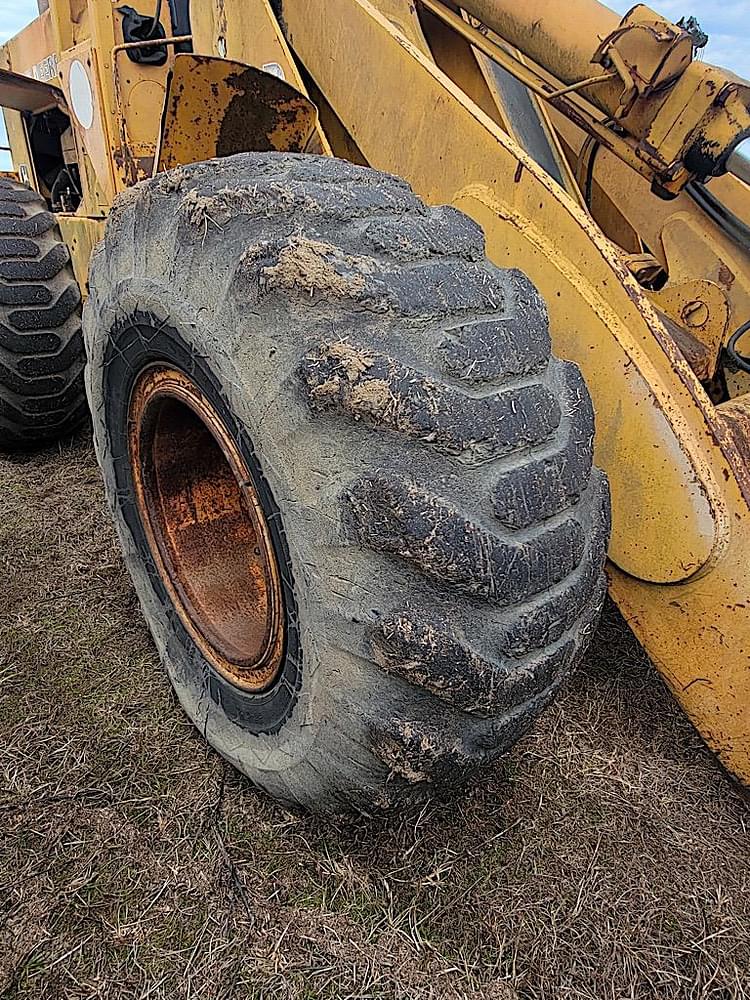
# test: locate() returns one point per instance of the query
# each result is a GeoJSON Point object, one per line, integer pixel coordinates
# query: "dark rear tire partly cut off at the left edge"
{"type": "Point", "coordinates": [42, 395]}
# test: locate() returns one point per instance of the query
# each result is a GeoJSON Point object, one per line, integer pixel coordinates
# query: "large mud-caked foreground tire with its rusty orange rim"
{"type": "Point", "coordinates": [353, 489]}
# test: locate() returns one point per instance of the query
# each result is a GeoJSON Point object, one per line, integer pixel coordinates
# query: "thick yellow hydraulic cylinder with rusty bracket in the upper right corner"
{"type": "Point", "coordinates": [646, 80]}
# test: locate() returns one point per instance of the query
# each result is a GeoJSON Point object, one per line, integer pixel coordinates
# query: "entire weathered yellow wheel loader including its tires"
{"type": "Point", "coordinates": [326, 252]}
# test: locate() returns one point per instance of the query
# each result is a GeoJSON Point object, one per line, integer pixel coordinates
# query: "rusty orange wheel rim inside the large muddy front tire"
{"type": "Point", "coordinates": [206, 528]}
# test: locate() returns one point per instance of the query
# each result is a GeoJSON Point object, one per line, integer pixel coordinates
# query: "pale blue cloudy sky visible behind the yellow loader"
{"type": "Point", "coordinates": [725, 21]}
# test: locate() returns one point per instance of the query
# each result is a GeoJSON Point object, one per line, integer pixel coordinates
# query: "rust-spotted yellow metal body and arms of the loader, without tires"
{"type": "Point", "coordinates": [643, 293]}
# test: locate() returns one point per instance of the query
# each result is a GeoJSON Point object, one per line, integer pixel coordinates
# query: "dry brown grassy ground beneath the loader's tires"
{"type": "Point", "coordinates": [607, 857]}
